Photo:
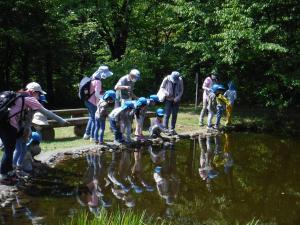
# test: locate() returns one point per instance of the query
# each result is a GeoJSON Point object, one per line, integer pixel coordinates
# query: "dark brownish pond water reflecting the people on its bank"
{"type": "Point", "coordinates": [225, 179]}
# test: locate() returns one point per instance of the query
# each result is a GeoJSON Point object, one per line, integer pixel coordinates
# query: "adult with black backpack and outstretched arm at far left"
{"type": "Point", "coordinates": [16, 124]}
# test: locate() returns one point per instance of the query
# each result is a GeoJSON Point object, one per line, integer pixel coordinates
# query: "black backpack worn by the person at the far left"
{"type": "Point", "coordinates": [7, 100]}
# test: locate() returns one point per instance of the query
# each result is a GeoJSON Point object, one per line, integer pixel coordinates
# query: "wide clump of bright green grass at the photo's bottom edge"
{"type": "Point", "coordinates": [116, 218]}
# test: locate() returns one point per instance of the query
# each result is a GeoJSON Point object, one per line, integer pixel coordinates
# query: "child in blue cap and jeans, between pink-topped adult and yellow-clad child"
{"type": "Point", "coordinates": [218, 90]}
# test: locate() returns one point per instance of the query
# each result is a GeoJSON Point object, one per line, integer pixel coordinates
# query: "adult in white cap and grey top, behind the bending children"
{"type": "Point", "coordinates": [125, 86]}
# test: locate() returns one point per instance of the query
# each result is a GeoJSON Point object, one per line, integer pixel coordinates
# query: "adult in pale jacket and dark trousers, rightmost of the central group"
{"type": "Point", "coordinates": [172, 86]}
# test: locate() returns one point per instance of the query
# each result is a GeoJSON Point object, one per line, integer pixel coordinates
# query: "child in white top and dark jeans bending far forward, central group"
{"type": "Point", "coordinates": [118, 117]}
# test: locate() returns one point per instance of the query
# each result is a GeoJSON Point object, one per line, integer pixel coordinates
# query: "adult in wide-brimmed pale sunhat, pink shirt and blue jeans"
{"type": "Point", "coordinates": [91, 104]}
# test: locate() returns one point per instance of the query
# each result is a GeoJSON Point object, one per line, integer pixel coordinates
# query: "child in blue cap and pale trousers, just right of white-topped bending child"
{"type": "Point", "coordinates": [139, 114]}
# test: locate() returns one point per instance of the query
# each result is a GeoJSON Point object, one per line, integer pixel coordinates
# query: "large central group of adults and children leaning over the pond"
{"type": "Point", "coordinates": [128, 106]}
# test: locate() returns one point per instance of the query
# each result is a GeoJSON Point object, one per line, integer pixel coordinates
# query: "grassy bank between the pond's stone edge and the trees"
{"type": "Point", "coordinates": [244, 119]}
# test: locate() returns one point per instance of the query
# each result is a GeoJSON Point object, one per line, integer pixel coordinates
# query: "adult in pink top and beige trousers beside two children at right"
{"type": "Point", "coordinates": [207, 84]}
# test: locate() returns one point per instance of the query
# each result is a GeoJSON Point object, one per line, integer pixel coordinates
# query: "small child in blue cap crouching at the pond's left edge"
{"type": "Point", "coordinates": [33, 149]}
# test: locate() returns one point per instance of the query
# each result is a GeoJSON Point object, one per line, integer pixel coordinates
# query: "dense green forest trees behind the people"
{"type": "Point", "coordinates": [254, 43]}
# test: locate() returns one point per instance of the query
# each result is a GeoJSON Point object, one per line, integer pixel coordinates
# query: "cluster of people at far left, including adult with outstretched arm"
{"type": "Point", "coordinates": [20, 130]}
